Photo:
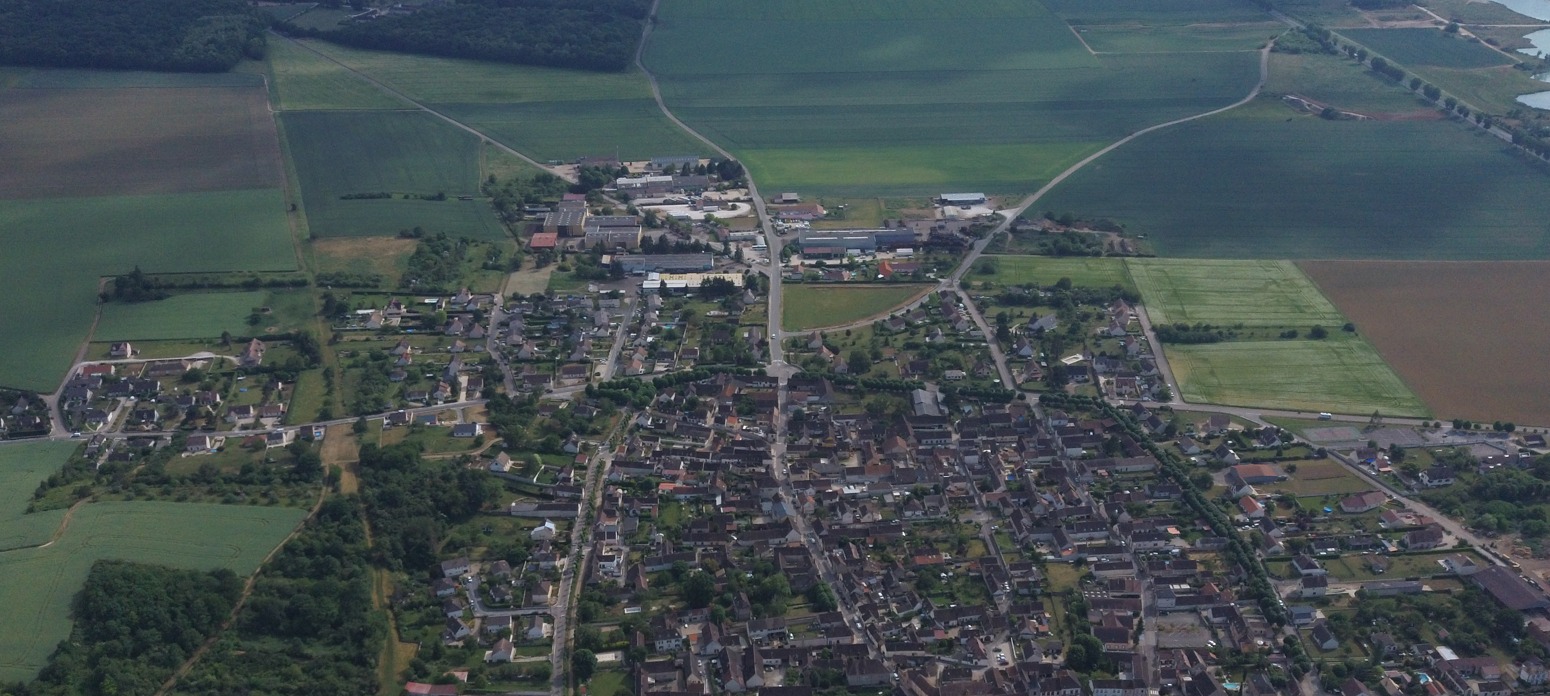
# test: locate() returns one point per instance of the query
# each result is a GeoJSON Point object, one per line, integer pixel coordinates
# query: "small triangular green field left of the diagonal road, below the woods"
{"type": "Point", "coordinates": [303, 81]}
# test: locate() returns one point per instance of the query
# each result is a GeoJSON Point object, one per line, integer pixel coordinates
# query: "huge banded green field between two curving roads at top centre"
{"type": "Point", "coordinates": [877, 108]}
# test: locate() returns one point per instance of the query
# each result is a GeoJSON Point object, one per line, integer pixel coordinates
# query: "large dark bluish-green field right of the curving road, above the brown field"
{"type": "Point", "coordinates": [1270, 182]}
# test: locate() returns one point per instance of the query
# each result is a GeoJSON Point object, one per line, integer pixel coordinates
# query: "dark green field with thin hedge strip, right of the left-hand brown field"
{"type": "Point", "coordinates": [396, 153]}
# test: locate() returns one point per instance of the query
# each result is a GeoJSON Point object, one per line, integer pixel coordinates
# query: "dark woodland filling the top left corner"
{"type": "Point", "coordinates": [191, 36]}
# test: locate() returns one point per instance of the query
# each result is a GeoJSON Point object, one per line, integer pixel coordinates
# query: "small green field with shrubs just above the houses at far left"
{"type": "Point", "coordinates": [204, 315]}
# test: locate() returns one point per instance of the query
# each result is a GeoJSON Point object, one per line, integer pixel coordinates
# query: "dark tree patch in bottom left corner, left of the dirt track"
{"type": "Point", "coordinates": [134, 627]}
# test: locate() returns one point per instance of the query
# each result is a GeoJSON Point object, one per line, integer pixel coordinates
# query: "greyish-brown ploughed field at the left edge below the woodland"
{"type": "Point", "coordinates": [126, 142]}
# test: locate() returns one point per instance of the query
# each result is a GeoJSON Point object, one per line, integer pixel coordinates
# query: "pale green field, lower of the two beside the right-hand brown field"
{"type": "Point", "coordinates": [1337, 374]}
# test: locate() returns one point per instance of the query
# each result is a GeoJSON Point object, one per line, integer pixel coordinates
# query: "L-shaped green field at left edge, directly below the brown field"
{"type": "Point", "coordinates": [57, 250]}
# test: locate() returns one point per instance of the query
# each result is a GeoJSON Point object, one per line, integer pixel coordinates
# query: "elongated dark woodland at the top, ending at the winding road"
{"type": "Point", "coordinates": [588, 35]}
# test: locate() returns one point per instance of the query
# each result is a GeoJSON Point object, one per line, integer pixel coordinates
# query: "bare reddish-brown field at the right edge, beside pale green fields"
{"type": "Point", "coordinates": [1470, 339]}
